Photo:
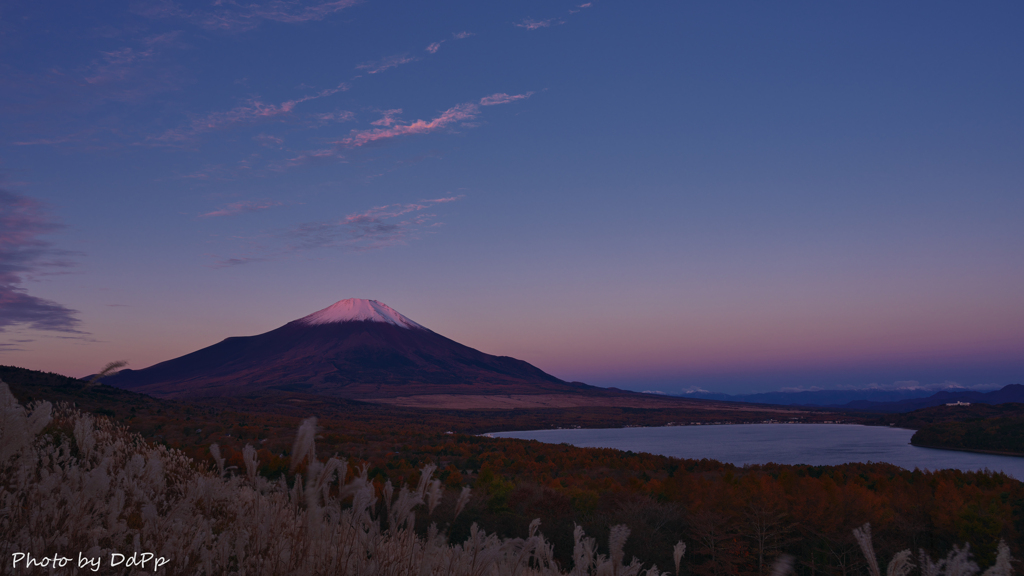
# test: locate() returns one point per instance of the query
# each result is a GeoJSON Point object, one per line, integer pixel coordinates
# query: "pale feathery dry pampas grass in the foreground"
{"type": "Point", "coordinates": [73, 484]}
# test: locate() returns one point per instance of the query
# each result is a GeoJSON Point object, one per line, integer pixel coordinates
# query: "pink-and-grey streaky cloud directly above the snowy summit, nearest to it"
{"type": "Point", "coordinates": [371, 230]}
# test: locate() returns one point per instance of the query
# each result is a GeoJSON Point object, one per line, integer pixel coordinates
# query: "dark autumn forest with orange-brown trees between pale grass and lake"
{"type": "Point", "coordinates": [733, 520]}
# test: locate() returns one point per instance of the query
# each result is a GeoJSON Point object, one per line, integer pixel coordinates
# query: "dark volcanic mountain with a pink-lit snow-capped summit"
{"type": "Point", "coordinates": [355, 349]}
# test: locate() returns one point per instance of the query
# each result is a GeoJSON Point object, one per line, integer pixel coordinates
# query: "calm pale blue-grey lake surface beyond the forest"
{"type": "Point", "coordinates": [783, 444]}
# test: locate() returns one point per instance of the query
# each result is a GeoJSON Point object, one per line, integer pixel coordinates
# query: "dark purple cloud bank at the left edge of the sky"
{"type": "Point", "coordinates": [24, 254]}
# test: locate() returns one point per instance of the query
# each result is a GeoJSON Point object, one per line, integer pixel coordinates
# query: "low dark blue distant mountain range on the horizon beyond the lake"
{"type": "Point", "coordinates": [873, 400]}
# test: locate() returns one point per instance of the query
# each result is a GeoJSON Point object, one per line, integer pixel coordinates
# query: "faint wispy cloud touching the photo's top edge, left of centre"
{"type": "Point", "coordinates": [230, 16]}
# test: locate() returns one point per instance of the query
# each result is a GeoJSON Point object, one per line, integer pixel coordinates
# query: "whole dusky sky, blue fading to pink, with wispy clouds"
{"type": "Point", "coordinates": [730, 196]}
